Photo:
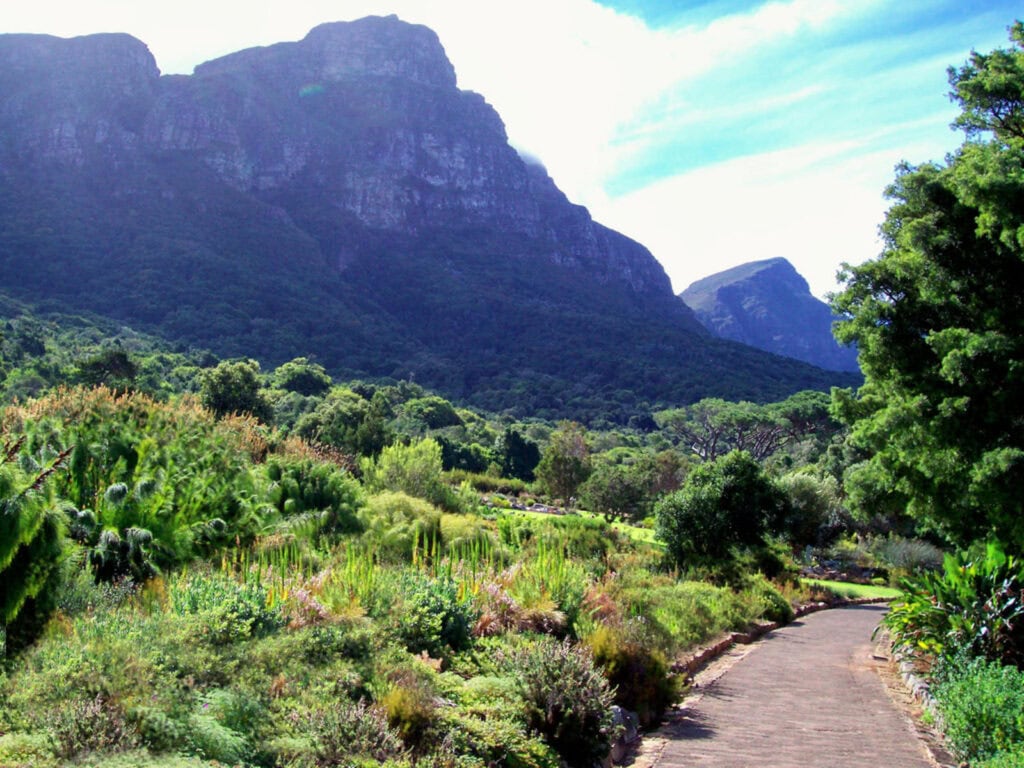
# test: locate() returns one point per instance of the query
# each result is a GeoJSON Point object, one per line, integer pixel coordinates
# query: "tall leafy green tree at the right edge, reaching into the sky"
{"type": "Point", "coordinates": [940, 323]}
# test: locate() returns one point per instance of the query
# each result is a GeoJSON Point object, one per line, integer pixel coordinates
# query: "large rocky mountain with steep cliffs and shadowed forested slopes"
{"type": "Point", "coordinates": [338, 197]}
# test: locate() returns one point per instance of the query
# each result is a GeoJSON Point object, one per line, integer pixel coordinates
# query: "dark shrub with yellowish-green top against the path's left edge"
{"type": "Point", "coordinates": [638, 673]}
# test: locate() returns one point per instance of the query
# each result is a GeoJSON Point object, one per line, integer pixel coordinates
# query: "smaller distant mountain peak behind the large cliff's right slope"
{"type": "Point", "coordinates": [769, 306]}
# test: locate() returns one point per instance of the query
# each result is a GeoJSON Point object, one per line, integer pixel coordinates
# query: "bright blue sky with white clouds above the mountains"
{"type": "Point", "coordinates": [715, 133]}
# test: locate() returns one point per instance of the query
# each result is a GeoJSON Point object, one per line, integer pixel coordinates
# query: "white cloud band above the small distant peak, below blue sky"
{"type": "Point", "coordinates": [817, 205]}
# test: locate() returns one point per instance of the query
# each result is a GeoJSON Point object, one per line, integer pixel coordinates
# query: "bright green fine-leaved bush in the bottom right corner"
{"type": "Point", "coordinates": [983, 708]}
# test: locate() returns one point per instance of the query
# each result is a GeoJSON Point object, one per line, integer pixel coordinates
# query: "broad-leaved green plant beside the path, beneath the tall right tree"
{"type": "Point", "coordinates": [974, 607]}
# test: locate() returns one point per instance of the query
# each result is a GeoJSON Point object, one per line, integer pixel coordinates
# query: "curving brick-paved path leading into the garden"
{"type": "Point", "coordinates": [808, 696]}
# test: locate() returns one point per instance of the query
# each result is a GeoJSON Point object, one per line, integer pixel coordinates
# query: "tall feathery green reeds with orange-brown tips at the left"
{"type": "Point", "coordinates": [151, 485]}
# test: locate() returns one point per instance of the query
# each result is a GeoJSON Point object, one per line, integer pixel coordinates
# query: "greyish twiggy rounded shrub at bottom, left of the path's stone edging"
{"type": "Point", "coordinates": [568, 701]}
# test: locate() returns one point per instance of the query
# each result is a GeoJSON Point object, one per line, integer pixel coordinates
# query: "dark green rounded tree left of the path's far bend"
{"type": "Point", "coordinates": [723, 504]}
